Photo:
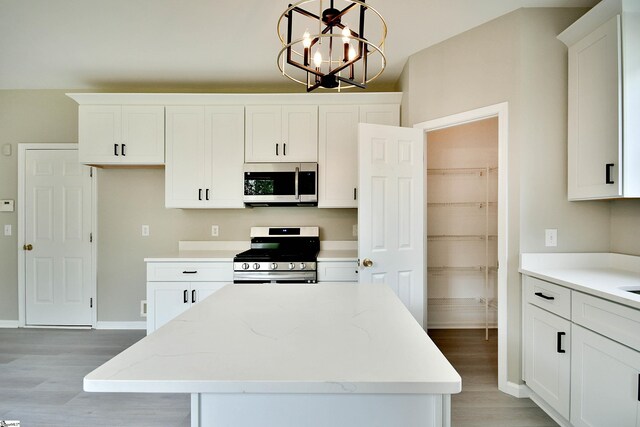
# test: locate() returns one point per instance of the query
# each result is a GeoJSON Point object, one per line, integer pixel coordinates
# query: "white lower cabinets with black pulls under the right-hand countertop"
{"type": "Point", "coordinates": [584, 365]}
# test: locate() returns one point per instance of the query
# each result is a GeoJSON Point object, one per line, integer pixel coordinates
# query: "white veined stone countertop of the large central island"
{"type": "Point", "coordinates": [332, 338]}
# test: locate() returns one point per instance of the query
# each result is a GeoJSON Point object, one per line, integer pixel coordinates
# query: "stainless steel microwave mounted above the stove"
{"type": "Point", "coordinates": [281, 184]}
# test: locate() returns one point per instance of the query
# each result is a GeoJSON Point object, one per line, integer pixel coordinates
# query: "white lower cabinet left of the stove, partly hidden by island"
{"type": "Point", "coordinates": [173, 287]}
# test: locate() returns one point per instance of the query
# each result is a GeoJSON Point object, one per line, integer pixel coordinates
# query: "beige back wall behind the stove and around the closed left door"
{"type": "Point", "coordinates": [127, 198]}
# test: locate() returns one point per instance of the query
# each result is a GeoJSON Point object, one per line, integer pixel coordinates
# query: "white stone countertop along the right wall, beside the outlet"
{"type": "Point", "coordinates": [604, 275]}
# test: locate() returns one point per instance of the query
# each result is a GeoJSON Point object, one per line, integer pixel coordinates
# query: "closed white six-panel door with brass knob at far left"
{"type": "Point", "coordinates": [58, 282]}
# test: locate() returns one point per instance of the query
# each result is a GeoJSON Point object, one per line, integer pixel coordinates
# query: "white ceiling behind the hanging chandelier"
{"type": "Point", "coordinates": [84, 44]}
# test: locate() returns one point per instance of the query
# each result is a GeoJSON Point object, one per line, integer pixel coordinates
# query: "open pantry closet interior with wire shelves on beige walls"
{"type": "Point", "coordinates": [462, 225]}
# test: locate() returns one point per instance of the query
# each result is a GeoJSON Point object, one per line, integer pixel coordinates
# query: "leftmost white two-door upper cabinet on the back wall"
{"type": "Point", "coordinates": [128, 134]}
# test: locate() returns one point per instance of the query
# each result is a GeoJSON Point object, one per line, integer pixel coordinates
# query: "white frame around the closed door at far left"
{"type": "Point", "coordinates": [22, 221]}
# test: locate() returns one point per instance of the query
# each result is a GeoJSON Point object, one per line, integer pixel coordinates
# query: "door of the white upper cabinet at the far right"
{"type": "Point", "coordinates": [595, 114]}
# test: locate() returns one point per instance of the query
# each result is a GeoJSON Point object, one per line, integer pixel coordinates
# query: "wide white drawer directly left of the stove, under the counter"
{"type": "Point", "coordinates": [190, 272]}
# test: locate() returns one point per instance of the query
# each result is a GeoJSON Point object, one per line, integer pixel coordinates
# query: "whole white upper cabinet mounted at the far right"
{"type": "Point", "coordinates": [604, 102]}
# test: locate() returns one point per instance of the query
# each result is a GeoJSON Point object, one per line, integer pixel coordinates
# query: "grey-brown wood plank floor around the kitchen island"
{"type": "Point", "coordinates": [41, 373]}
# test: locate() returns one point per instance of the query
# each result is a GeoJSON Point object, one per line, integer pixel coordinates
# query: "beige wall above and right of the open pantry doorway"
{"type": "Point", "coordinates": [515, 58]}
